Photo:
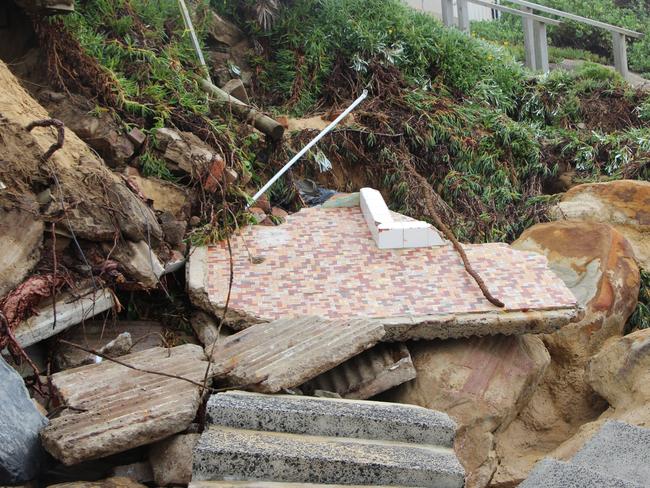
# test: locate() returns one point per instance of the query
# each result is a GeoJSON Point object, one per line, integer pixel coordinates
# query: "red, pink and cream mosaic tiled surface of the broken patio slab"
{"type": "Point", "coordinates": [324, 262]}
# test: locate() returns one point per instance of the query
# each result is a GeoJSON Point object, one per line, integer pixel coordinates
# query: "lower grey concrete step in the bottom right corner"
{"type": "Point", "coordinates": [550, 473]}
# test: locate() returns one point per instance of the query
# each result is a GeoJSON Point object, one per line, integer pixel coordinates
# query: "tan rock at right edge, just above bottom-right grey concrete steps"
{"type": "Point", "coordinates": [620, 373]}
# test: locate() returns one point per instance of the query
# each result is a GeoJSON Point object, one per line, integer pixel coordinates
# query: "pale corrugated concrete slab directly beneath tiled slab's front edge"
{"type": "Point", "coordinates": [288, 352]}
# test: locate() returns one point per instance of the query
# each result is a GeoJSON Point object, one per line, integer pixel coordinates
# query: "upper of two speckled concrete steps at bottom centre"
{"type": "Point", "coordinates": [331, 418]}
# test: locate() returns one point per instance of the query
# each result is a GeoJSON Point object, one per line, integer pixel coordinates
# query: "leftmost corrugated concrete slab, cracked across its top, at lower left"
{"type": "Point", "coordinates": [117, 408]}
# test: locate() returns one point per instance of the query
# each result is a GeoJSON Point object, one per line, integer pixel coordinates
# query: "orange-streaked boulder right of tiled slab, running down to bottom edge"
{"type": "Point", "coordinates": [597, 264]}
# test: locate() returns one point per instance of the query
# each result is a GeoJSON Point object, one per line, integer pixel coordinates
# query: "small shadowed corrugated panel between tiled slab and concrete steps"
{"type": "Point", "coordinates": [376, 370]}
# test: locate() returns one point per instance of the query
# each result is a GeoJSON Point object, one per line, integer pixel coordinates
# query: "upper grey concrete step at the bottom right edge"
{"type": "Point", "coordinates": [619, 450]}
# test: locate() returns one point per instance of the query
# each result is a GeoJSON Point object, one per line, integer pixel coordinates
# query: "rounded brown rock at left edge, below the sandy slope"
{"type": "Point", "coordinates": [21, 236]}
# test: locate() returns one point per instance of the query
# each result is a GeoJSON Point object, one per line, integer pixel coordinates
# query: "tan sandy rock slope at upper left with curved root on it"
{"type": "Point", "coordinates": [97, 202]}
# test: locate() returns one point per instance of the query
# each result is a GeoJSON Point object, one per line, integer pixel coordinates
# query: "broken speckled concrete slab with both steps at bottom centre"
{"type": "Point", "coordinates": [317, 440]}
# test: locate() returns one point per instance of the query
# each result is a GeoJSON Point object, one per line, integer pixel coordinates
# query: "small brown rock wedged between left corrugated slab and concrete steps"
{"type": "Point", "coordinates": [171, 459]}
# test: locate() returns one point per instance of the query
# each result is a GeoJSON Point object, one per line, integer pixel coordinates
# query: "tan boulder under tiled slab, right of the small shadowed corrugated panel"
{"type": "Point", "coordinates": [482, 383]}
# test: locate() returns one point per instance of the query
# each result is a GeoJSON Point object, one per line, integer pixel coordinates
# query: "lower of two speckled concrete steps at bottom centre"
{"type": "Point", "coordinates": [226, 453]}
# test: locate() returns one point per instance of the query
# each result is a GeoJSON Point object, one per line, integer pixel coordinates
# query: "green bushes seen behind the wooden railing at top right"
{"type": "Point", "coordinates": [574, 40]}
